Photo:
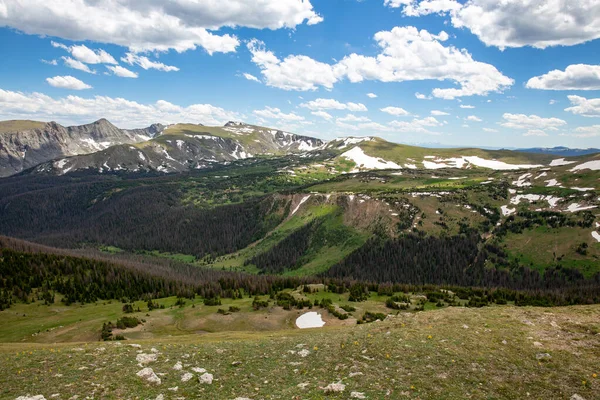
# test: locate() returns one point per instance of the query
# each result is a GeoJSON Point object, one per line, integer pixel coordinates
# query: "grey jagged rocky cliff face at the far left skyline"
{"type": "Point", "coordinates": [21, 149]}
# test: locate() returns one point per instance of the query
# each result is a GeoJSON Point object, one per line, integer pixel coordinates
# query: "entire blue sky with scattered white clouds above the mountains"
{"type": "Point", "coordinates": [518, 73]}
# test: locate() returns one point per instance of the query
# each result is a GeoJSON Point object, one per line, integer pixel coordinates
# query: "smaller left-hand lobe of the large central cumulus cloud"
{"type": "Point", "coordinates": [294, 72]}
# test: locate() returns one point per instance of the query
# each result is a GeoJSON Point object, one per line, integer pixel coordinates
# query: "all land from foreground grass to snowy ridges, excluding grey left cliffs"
{"type": "Point", "coordinates": [212, 242]}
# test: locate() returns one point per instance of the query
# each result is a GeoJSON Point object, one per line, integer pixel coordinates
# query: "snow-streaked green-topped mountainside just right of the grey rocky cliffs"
{"type": "Point", "coordinates": [184, 147]}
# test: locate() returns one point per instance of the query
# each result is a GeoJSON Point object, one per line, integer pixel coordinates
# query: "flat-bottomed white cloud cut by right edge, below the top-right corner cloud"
{"type": "Point", "coordinates": [574, 77]}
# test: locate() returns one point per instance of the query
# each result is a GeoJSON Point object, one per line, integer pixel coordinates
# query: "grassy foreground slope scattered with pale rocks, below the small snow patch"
{"type": "Point", "coordinates": [456, 353]}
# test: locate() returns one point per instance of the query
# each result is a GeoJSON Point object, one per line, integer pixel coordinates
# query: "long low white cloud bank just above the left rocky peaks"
{"type": "Point", "coordinates": [123, 113]}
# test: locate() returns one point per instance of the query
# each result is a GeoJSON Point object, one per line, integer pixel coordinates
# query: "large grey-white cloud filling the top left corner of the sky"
{"type": "Point", "coordinates": [148, 25]}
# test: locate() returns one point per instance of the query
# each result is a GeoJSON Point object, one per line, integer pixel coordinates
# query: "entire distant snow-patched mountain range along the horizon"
{"type": "Point", "coordinates": [41, 147]}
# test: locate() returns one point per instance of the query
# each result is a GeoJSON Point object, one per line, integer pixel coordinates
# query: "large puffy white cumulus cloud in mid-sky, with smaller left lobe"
{"type": "Point", "coordinates": [406, 54]}
